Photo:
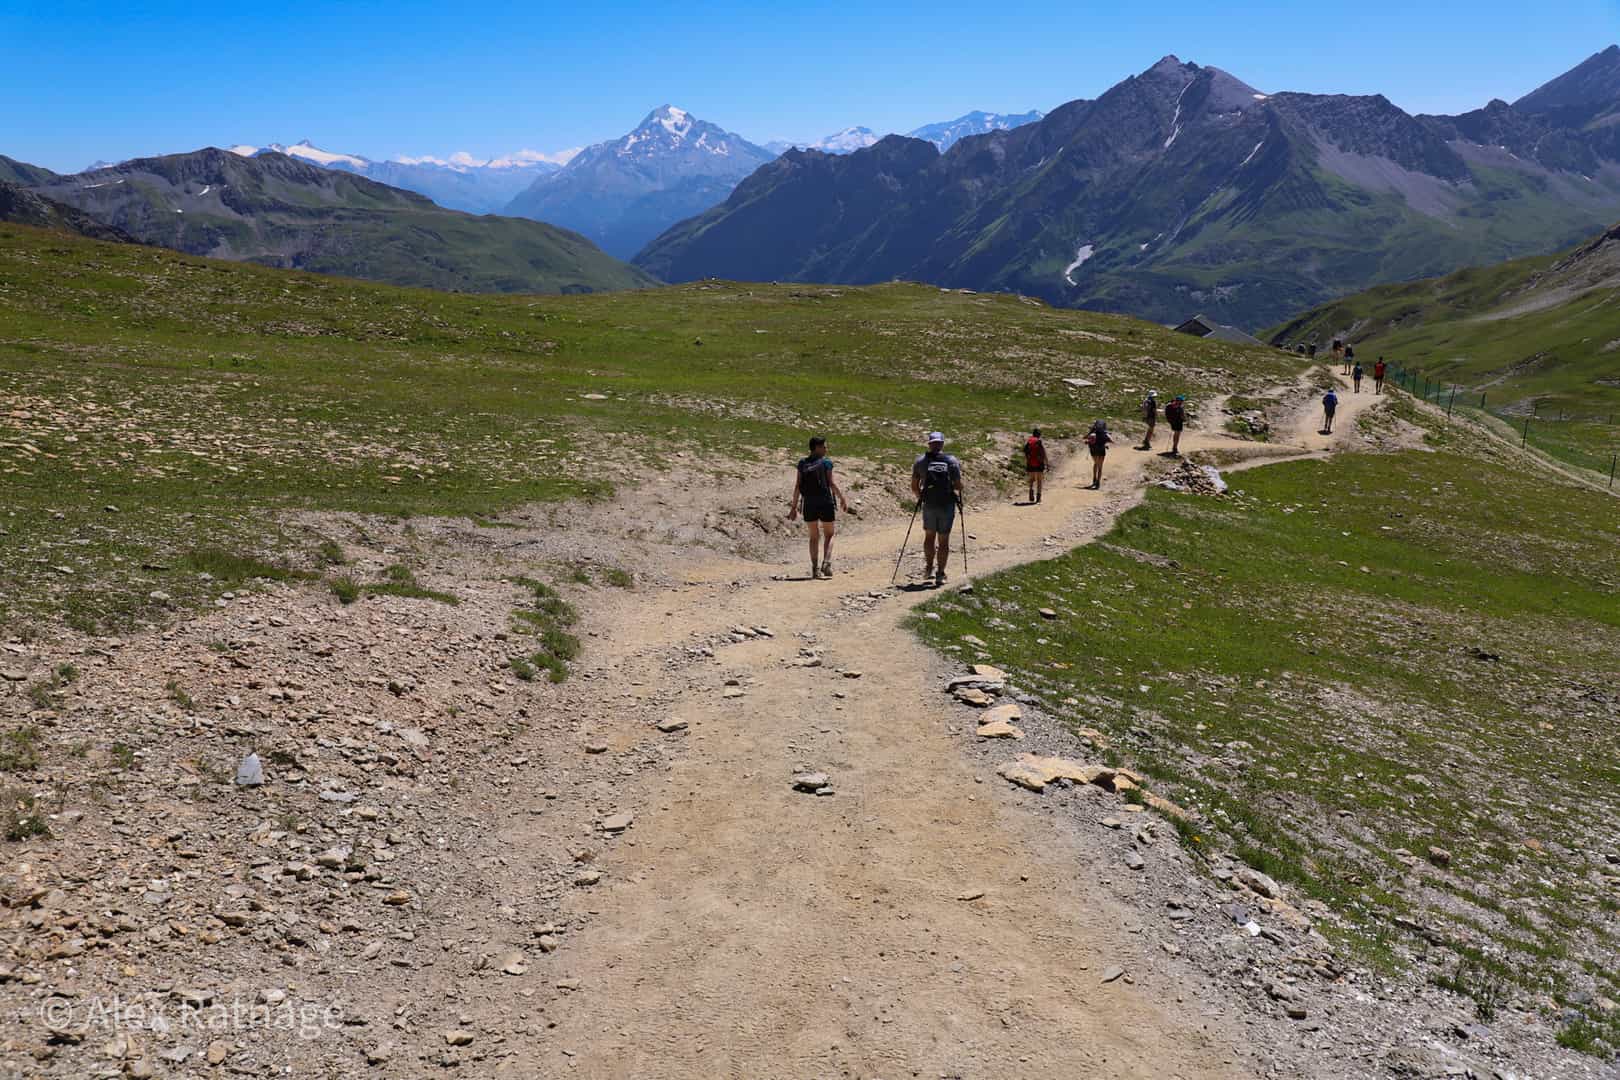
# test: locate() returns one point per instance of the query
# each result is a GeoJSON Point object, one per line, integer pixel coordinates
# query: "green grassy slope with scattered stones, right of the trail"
{"type": "Point", "coordinates": [1345, 665]}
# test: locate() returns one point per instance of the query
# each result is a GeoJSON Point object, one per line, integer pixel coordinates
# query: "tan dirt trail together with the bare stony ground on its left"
{"type": "Point", "coordinates": [615, 877]}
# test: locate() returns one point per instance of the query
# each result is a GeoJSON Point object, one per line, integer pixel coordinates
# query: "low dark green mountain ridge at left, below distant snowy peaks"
{"type": "Point", "coordinates": [279, 211]}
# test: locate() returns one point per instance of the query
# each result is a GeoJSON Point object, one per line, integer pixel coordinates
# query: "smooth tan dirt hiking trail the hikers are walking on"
{"type": "Point", "coordinates": [914, 924]}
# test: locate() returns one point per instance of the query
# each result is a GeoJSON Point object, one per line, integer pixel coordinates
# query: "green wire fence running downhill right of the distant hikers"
{"type": "Point", "coordinates": [1592, 441]}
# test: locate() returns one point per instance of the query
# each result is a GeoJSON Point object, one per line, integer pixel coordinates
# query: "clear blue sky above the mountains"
{"type": "Point", "coordinates": [83, 82]}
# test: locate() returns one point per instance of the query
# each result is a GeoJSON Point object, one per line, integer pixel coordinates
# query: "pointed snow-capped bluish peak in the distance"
{"type": "Point", "coordinates": [626, 192]}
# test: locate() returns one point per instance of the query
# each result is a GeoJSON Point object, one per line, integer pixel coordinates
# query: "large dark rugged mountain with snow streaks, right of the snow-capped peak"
{"type": "Point", "coordinates": [1179, 190]}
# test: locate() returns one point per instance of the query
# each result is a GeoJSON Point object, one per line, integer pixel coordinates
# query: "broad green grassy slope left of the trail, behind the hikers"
{"type": "Point", "coordinates": [171, 386]}
